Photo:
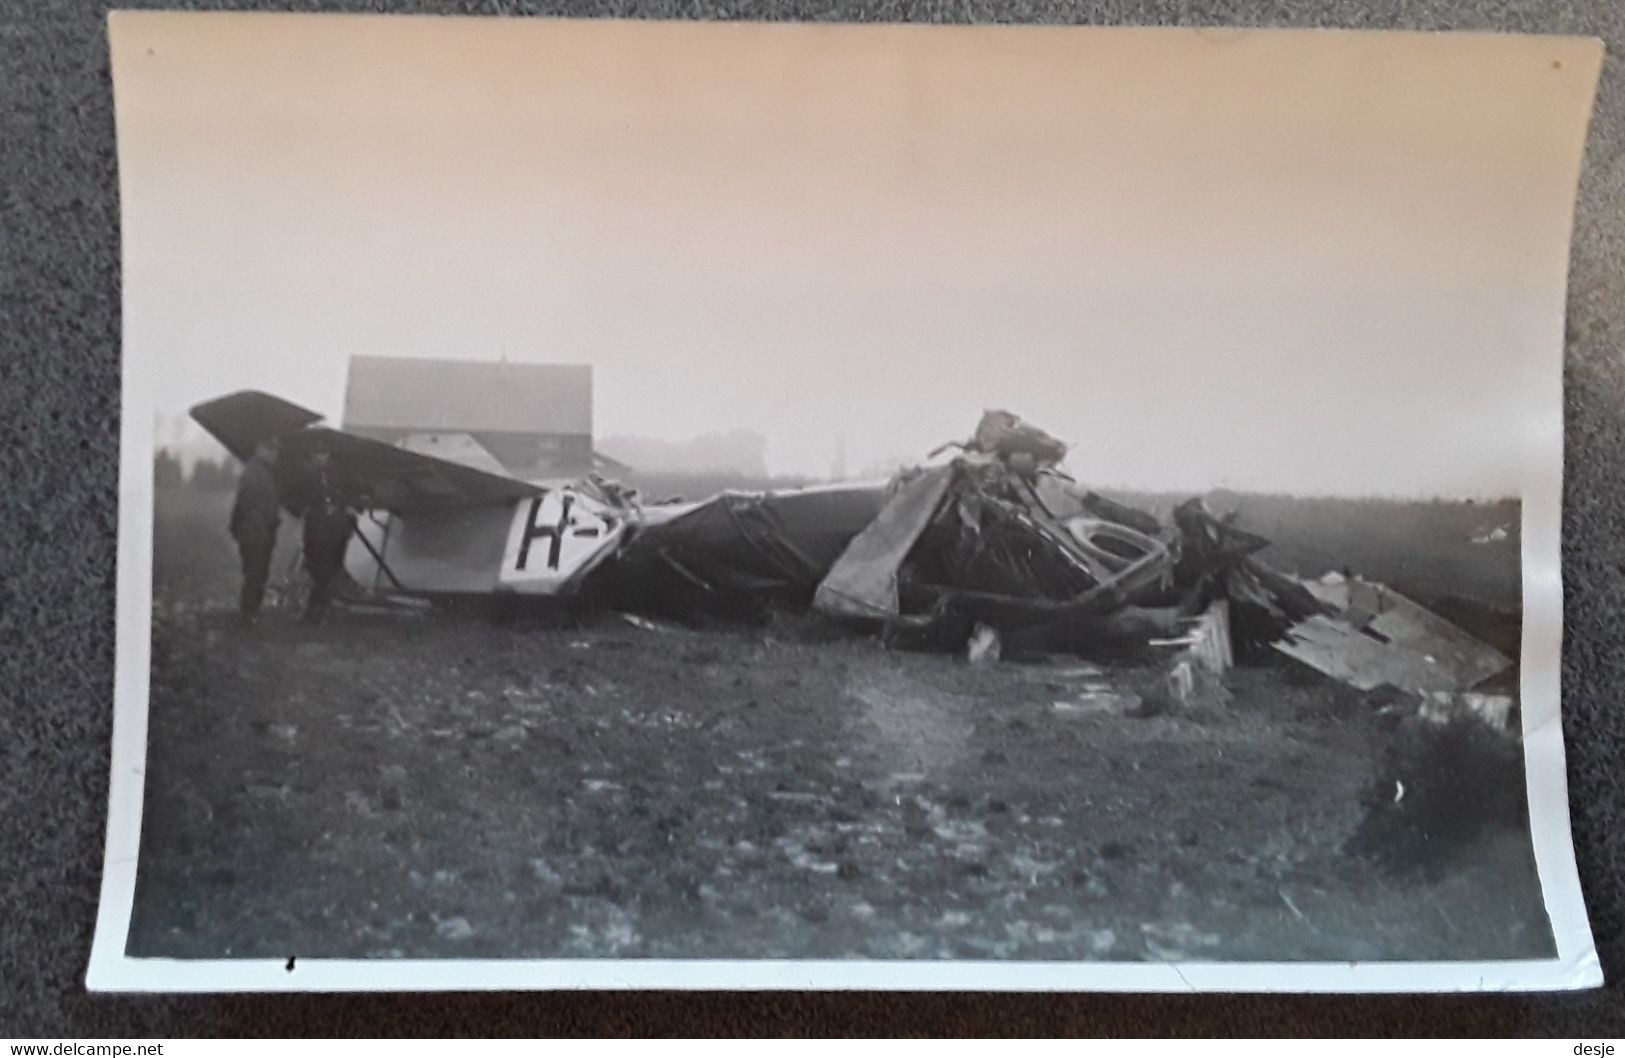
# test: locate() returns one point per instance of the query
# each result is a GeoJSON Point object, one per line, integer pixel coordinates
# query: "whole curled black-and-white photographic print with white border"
{"type": "Point", "coordinates": [784, 506]}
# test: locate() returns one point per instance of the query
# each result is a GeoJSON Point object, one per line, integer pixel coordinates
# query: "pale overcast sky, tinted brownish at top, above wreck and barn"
{"type": "Point", "coordinates": [1302, 261]}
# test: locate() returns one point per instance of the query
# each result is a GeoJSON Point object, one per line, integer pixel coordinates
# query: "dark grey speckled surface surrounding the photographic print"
{"type": "Point", "coordinates": [59, 428]}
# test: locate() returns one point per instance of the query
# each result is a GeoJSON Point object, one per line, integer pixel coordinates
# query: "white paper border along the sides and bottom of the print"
{"type": "Point", "coordinates": [1575, 966]}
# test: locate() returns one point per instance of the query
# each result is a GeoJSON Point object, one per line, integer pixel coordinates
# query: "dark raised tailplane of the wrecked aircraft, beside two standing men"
{"type": "Point", "coordinates": [394, 479]}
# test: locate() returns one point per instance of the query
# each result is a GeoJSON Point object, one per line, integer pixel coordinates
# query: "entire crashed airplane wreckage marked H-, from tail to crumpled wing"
{"type": "Point", "coordinates": [986, 549]}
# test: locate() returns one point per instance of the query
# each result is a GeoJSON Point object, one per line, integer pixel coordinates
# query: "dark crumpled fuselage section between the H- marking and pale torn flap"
{"type": "Point", "coordinates": [742, 552]}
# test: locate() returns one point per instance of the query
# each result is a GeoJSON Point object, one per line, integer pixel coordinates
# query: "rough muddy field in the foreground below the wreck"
{"type": "Point", "coordinates": [449, 787]}
